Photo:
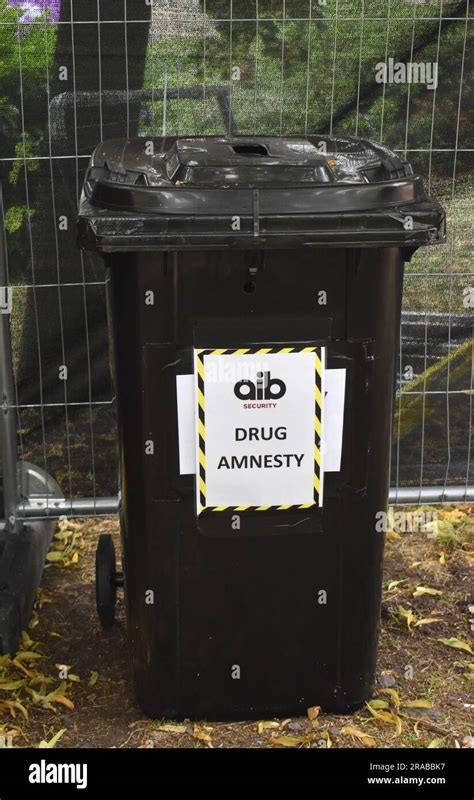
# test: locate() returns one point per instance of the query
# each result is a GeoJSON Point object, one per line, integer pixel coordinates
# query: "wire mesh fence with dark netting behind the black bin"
{"type": "Point", "coordinates": [75, 72]}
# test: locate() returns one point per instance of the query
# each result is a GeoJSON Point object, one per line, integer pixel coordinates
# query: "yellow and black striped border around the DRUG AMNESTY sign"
{"type": "Point", "coordinates": [201, 432]}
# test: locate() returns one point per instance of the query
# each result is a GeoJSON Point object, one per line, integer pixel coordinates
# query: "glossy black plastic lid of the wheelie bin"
{"type": "Point", "coordinates": [260, 191]}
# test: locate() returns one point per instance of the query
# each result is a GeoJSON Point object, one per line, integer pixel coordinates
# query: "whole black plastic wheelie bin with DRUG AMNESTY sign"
{"type": "Point", "coordinates": [255, 289]}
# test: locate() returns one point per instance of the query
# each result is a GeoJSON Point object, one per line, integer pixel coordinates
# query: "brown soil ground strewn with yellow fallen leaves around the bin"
{"type": "Point", "coordinates": [94, 706]}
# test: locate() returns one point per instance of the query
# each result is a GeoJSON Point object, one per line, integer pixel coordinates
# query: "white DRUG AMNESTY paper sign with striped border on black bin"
{"type": "Point", "coordinates": [259, 425]}
